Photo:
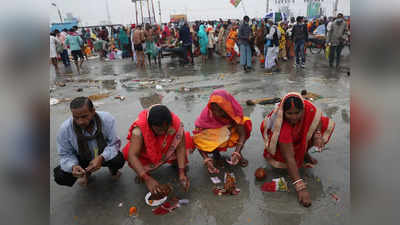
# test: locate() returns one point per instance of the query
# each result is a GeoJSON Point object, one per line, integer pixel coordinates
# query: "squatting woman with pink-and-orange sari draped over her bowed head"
{"type": "Point", "coordinates": [221, 125]}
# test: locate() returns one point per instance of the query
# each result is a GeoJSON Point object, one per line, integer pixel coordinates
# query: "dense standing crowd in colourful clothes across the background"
{"type": "Point", "coordinates": [252, 40]}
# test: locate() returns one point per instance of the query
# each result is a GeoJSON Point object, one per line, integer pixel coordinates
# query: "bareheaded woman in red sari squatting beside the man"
{"type": "Point", "coordinates": [157, 137]}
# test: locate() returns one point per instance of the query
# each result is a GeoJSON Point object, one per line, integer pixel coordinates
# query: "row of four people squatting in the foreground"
{"type": "Point", "coordinates": [88, 140]}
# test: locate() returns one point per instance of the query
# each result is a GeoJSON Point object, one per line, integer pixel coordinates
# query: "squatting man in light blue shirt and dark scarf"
{"type": "Point", "coordinates": [86, 142]}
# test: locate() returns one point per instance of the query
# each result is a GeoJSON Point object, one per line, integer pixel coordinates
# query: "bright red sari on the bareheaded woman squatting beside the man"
{"type": "Point", "coordinates": [158, 150]}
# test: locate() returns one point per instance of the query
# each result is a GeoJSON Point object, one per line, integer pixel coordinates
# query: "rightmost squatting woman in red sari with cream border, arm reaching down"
{"type": "Point", "coordinates": [289, 131]}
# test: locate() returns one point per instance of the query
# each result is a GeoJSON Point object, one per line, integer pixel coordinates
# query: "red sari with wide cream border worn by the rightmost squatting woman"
{"type": "Point", "coordinates": [275, 129]}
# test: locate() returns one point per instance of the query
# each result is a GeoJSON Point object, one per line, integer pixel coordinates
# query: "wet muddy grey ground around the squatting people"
{"type": "Point", "coordinates": [185, 90]}
